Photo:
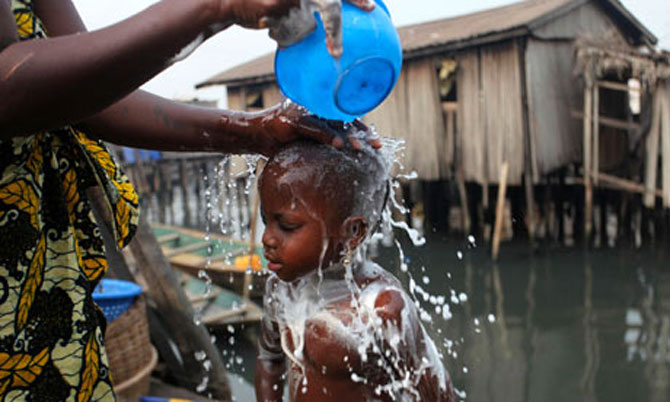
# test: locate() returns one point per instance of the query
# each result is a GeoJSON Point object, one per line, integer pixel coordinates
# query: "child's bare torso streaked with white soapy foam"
{"type": "Point", "coordinates": [332, 339]}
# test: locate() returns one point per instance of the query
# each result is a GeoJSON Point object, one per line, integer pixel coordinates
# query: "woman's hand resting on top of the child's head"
{"type": "Point", "coordinates": [284, 123]}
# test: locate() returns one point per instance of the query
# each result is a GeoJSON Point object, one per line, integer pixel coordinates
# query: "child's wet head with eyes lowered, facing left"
{"type": "Point", "coordinates": [316, 202]}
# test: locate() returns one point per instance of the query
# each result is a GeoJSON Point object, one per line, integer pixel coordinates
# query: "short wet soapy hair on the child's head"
{"type": "Point", "coordinates": [349, 182]}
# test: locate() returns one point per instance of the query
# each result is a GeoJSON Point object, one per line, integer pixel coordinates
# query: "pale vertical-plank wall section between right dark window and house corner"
{"type": "Point", "coordinates": [490, 114]}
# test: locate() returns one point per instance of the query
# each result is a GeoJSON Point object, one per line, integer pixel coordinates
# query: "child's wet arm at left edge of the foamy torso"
{"type": "Point", "coordinates": [270, 364]}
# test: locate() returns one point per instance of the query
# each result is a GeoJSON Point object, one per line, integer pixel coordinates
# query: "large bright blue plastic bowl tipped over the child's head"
{"type": "Point", "coordinates": [351, 86]}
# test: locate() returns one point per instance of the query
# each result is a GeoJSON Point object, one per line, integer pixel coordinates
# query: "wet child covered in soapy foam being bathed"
{"type": "Point", "coordinates": [345, 325]}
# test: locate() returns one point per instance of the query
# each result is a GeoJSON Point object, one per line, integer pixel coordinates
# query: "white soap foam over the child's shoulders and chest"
{"type": "Point", "coordinates": [402, 351]}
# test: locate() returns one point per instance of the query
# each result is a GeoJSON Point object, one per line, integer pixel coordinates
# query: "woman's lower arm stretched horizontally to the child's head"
{"type": "Point", "coordinates": [144, 120]}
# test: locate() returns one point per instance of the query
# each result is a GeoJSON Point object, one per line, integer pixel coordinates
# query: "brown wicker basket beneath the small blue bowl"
{"type": "Point", "coordinates": [129, 350]}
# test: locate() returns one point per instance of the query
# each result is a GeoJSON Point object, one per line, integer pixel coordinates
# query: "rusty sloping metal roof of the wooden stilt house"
{"type": "Point", "coordinates": [454, 33]}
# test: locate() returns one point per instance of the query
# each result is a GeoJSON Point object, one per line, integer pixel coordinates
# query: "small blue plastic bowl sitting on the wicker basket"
{"type": "Point", "coordinates": [115, 297]}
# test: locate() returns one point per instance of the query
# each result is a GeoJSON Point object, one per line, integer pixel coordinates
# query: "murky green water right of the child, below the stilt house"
{"type": "Point", "coordinates": [557, 325]}
